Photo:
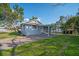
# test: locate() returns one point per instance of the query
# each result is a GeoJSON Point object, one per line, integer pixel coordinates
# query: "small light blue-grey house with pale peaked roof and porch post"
{"type": "Point", "coordinates": [34, 27]}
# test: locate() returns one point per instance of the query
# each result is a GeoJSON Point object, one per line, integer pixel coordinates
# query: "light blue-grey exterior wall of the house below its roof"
{"type": "Point", "coordinates": [29, 30]}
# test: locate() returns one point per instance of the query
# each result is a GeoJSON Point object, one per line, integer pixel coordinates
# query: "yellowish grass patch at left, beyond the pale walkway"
{"type": "Point", "coordinates": [5, 35]}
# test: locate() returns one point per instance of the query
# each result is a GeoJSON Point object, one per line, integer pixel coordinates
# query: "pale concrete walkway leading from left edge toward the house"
{"type": "Point", "coordinates": [8, 43]}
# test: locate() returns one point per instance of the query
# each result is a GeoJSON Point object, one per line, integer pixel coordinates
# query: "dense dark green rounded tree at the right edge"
{"type": "Point", "coordinates": [73, 23]}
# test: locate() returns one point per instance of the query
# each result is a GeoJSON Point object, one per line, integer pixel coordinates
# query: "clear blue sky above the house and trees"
{"type": "Point", "coordinates": [48, 13]}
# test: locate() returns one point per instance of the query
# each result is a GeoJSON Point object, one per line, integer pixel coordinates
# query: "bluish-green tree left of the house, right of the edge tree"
{"type": "Point", "coordinates": [18, 15]}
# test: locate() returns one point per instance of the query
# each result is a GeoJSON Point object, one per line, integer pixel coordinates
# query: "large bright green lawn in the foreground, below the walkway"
{"type": "Point", "coordinates": [57, 46]}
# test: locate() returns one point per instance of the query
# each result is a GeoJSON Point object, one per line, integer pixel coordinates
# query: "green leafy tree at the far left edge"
{"type": "Point", "coordinates": [5, 11]}
